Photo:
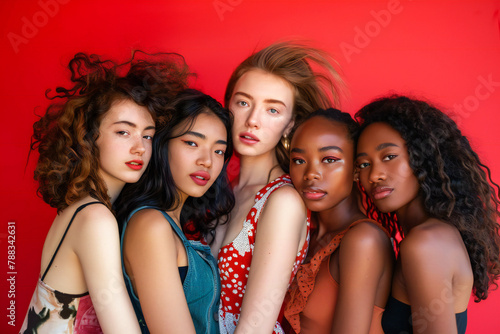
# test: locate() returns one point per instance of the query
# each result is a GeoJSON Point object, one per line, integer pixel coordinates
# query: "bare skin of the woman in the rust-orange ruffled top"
{"type": "Point", "coordinates": [322, 170]}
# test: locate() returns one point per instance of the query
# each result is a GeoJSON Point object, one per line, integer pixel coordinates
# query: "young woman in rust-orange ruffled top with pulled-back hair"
{"type": "Point", "coordinates": [344, 286]}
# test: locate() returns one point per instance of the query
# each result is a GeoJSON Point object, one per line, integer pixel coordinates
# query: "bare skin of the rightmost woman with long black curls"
{"type": "Point", "coordinates": [433, 272]}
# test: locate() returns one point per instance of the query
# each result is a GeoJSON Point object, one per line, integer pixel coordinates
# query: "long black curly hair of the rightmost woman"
{"type": "Point", "coordinates": [455, 185]}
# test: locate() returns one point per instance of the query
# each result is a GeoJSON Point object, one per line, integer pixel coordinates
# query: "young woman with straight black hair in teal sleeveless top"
{"type": "Point", "coordinates": [174, 283]}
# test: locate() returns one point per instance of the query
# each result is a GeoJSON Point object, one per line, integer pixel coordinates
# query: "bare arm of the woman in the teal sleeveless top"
{"type": "Point", "coordinates": [150, 249]}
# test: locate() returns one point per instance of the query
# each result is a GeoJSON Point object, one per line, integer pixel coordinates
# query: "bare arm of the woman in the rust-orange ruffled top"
{"type": "Point", "coordinates": [365, 270]}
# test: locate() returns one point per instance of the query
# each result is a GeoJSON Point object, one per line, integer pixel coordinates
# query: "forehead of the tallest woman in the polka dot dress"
{"type": "Point", "coordinates": [261, 84]}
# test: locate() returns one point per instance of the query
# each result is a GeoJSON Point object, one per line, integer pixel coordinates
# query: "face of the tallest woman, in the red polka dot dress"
{"type": "Point", "coordinates": [262, 106]}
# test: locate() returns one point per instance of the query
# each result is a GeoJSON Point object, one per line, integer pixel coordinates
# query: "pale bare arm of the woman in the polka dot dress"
{"type": "Point", "coordinates": [281, 227]}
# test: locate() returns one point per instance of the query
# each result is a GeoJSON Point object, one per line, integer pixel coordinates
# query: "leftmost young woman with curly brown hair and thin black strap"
{"type": "Point", "coordinates": [90, 145]}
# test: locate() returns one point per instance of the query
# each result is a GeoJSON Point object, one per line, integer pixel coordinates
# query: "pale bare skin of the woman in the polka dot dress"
{"type": "Point", "coordinates": [262, 106]}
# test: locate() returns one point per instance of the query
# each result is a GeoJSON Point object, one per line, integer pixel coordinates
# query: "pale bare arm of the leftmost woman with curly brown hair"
{"type": "Point", "coordinates": [98, 250]}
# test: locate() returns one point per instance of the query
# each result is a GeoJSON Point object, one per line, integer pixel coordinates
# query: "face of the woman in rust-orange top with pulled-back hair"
{"type": "Point", "coordinates": [322, 163]}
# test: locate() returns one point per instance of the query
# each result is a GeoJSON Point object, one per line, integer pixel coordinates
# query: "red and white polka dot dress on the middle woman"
{"type": "Point", "coordinates": [235, 258]}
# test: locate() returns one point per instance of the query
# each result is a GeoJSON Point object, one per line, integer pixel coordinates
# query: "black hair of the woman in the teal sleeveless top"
{"type": "Point", "coordinates": [157, 186]}
